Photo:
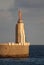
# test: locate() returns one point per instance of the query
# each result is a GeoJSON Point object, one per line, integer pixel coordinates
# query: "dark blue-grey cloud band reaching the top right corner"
{"type": "Point", "coordinates": [29, 3]}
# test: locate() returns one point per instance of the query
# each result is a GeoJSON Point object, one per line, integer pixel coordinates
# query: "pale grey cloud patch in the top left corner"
{"type": "Point", "coordinates": [6, 4]}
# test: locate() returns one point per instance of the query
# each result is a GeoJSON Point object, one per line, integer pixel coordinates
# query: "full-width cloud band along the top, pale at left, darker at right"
{"type": "Point", "coordinates": [12, 4]}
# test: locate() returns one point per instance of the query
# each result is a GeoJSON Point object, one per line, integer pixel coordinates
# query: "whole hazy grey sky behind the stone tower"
{"type": "Point", "coordinates": [33, 18]}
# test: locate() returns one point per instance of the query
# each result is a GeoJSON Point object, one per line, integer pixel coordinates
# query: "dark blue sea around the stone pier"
{"type": "Point", "coordinates": [36, 57]}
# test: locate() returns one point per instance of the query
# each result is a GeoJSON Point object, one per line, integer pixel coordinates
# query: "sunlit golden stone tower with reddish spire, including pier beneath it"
{"type": "Point", "coordinates": [20, 48]}
